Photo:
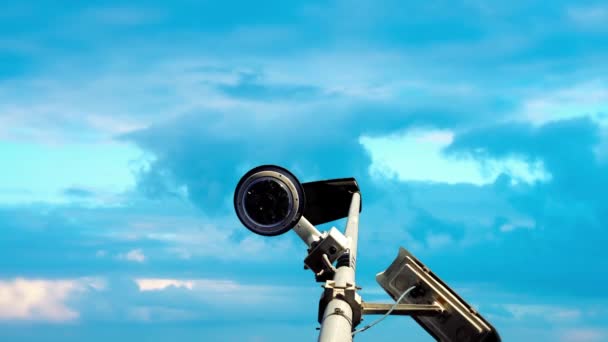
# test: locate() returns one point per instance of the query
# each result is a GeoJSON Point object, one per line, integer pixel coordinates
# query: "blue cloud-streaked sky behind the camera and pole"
{"type": "Point", "coordinates": [478, 131]}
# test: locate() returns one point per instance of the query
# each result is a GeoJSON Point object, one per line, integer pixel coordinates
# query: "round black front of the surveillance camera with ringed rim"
{"type": "Point", "coordinates": [269, 200]}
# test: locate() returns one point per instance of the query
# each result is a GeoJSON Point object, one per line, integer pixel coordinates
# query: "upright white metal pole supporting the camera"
{"type": "Point", "coordinates": [337, 319]}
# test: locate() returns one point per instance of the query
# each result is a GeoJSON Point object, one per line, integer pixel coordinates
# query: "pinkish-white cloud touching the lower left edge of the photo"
{"type": "Point", "coordinates": [42, 300]}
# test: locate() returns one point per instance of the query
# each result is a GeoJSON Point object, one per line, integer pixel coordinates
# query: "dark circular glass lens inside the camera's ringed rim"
{"type": "Point", "coordinates": [267, 202]}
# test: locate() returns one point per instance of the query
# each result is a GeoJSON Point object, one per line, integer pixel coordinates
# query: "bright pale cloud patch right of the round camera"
{"type": "Point", "coordinates": [416, 155]}
